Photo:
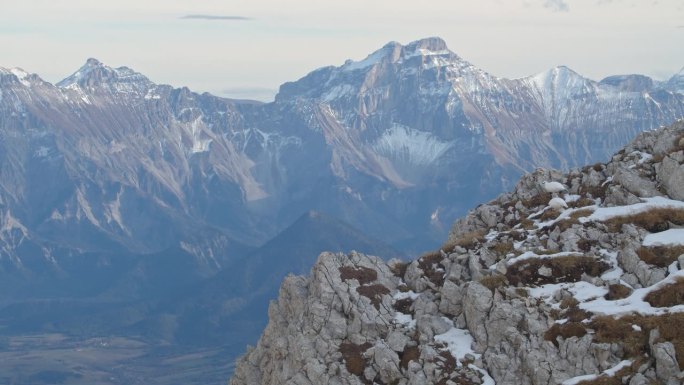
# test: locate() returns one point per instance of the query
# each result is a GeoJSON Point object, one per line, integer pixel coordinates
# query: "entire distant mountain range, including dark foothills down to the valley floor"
{"type": "Point", "coordinates": [119, 193]}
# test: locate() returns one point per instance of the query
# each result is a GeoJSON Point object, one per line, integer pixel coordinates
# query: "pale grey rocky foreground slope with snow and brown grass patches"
{"type": "Point", "coordinates": [525, 291]}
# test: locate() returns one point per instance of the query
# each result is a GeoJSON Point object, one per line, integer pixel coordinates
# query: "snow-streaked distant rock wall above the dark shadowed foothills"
{"type": "Point", "coordinates": [396, 144]}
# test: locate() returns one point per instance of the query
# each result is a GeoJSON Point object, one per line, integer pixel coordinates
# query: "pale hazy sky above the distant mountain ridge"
{"type": "Point", "coordinates": [243, 48]}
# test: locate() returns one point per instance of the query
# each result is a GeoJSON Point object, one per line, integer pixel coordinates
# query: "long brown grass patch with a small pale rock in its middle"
{"type": "Point", "coordinates": [563, 269]}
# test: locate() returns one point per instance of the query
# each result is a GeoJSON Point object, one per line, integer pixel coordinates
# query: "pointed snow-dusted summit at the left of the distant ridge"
{"type": "Point", "coordinates": [94, 73]}
